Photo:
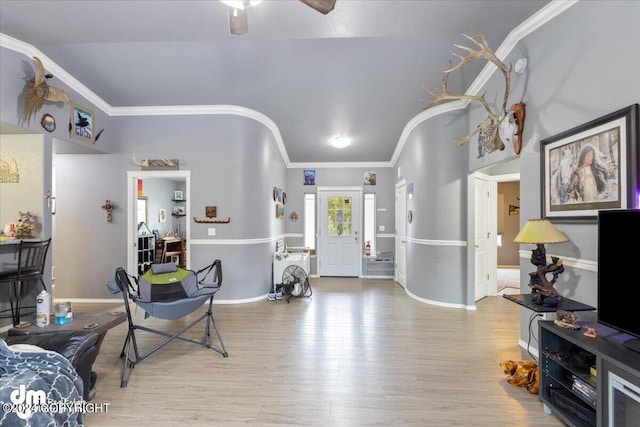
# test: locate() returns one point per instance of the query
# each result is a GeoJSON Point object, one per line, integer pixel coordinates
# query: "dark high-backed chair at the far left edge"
{"type": "Point", "coordinates": [32, 257]}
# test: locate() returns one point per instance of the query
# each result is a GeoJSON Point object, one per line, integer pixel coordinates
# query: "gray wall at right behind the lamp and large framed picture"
{"type": "Point", "coordinates": [582, 65]}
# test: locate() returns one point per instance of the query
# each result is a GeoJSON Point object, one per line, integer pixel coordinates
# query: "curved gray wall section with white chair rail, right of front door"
{"type": "Point", "coordinates": [437, 168]}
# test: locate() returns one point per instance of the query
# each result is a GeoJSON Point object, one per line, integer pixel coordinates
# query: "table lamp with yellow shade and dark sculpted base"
{"type": "Point", "coordinates": [539, 232]}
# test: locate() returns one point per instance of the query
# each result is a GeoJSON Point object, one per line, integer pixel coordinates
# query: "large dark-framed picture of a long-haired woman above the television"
{"type": "Point", "coordinates": [591, 167]}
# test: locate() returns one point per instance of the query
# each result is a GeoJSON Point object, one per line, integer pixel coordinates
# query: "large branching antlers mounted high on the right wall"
{"type": "Point", "coordinates": [488, 129]}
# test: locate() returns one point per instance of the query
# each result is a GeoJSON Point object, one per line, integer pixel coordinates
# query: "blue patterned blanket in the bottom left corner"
{"type": "Point", "coordinates": [38, 388]}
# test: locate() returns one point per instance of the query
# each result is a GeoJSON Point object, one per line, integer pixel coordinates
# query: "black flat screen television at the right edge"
{"type": "Point", "coordinates": [618, 272]}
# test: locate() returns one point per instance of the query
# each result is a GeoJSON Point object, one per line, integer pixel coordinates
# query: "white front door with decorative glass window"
{"type": "Point", "coordinates": [340, 246]}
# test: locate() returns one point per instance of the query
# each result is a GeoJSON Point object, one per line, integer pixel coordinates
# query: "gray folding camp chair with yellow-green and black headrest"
{"type": "Point", "coordinates": [167, 291]}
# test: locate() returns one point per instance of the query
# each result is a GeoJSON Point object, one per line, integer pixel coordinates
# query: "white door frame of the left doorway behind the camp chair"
{"type": "Point", "coordinates": [132, 201]}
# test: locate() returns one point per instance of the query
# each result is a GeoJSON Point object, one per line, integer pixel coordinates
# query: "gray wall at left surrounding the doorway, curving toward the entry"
{"type": "Point", "coordinates": [219, 152]}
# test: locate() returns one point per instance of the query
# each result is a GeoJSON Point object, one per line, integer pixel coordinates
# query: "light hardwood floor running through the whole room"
{"type": "Point", "coordinates": [357, 353]}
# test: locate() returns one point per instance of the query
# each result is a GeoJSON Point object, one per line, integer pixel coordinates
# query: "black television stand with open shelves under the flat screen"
{"type": "Point", "coordinates": [575, 375]}
